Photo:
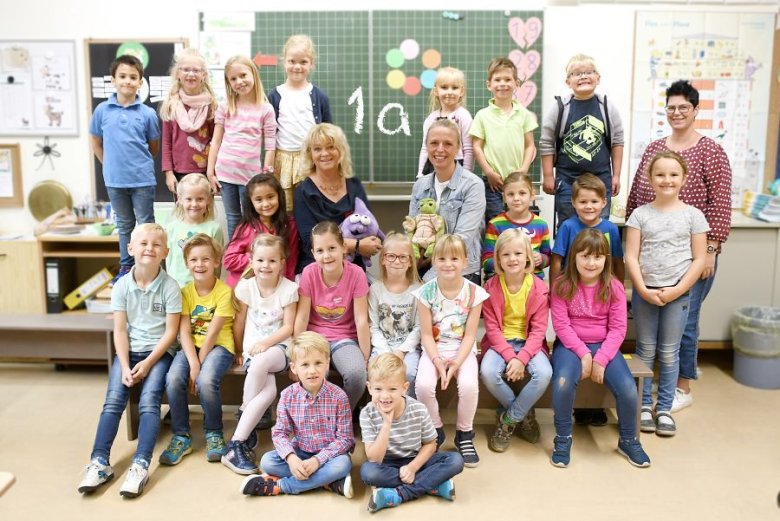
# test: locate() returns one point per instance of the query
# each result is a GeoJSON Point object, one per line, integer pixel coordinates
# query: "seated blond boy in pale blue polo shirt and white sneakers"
{"type": "Point", "coordinates": [147, 309]}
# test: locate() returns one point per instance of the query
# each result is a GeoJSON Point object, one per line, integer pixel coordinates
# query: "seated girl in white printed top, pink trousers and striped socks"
{"type": "Point", "coordinates": [449, 316]}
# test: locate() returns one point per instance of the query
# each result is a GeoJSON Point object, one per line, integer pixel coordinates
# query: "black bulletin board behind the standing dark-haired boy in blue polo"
{"type": "Point", "coordinates": [157, 57]}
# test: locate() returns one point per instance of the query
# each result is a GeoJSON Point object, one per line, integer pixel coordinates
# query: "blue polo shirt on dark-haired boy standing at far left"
{"type": "Point", "coordinates": [126, 132]}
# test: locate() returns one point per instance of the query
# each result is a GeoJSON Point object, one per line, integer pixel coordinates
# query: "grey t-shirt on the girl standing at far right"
{"type": "Point", "coordinates": [665, 244]}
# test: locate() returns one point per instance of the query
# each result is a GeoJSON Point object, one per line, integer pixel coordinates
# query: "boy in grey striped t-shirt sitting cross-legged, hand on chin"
{"type": "Point", "coordinates": [400, 441]}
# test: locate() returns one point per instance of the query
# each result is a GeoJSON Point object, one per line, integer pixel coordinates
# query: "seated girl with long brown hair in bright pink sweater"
{"type": "Point", "coordinates": [589, 317]}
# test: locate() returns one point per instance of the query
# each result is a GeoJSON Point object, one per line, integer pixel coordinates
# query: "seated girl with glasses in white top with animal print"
{"type": "Point", "coordinates": [392, 308]}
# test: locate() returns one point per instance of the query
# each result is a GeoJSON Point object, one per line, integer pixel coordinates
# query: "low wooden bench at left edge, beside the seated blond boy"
{"type": "Point", "coordinates": [60, 338]}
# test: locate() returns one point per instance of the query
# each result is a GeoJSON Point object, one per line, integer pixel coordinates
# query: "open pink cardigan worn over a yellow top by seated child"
{"type": "Point", "coordinates": [536, 311]}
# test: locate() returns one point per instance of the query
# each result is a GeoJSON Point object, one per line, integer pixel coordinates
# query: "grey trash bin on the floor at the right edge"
{"type": "Point", "coordinates": [755, 331]}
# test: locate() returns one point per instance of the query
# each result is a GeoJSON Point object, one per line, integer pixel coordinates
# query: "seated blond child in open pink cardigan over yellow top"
{"type": "Point", "coordinates": [514, 343]}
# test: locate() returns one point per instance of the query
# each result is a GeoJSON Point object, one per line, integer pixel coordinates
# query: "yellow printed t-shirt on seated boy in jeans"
{"type": "Point", "coordinates": [202, 310]}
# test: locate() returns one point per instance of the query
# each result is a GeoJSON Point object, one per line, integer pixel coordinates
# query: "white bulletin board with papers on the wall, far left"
{"type": "Point", "coordinates": [38, 88]}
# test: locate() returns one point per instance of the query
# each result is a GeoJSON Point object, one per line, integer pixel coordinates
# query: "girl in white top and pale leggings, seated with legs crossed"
{"type": "Point", "coordinates": [267, 302]}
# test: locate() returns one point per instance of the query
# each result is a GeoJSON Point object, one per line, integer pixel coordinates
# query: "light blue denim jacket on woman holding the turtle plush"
{"type": "Point", "coordinates": [462, 206]}
